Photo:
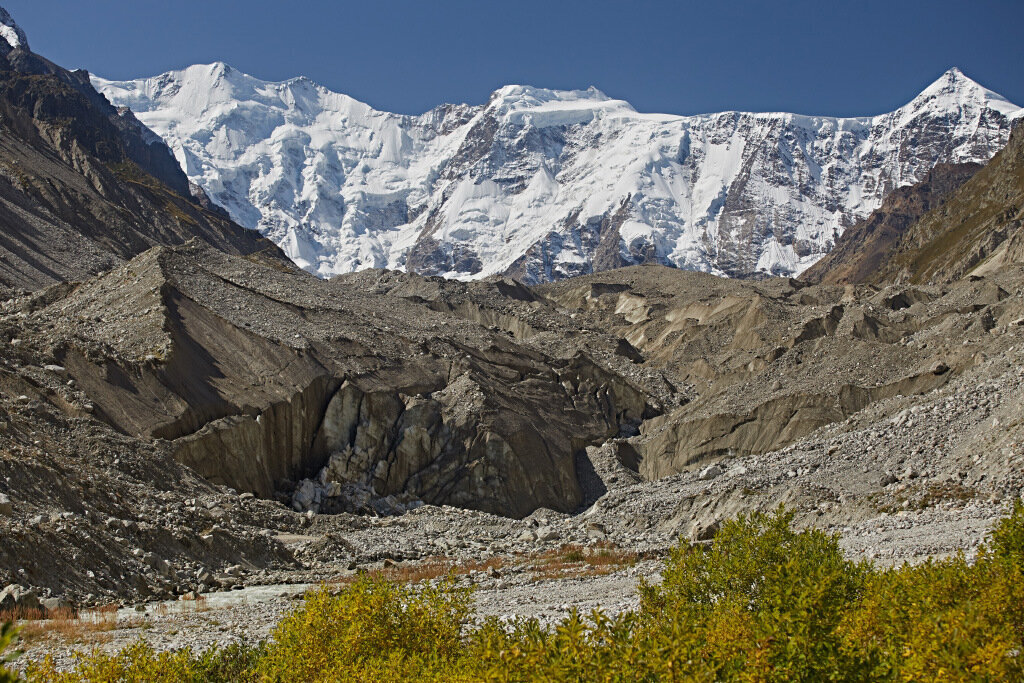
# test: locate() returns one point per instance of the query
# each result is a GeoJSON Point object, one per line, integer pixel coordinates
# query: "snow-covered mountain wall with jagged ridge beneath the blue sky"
{"type": "Point", "coordinates": [543, 185]}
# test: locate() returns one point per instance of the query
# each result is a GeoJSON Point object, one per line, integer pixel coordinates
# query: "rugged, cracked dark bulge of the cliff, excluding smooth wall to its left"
{"type": "Point", "coordinates": [497, 438]}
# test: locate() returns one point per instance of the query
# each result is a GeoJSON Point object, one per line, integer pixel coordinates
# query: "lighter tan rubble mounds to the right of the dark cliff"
{"type": "Point", "coordinates": [755, 367]}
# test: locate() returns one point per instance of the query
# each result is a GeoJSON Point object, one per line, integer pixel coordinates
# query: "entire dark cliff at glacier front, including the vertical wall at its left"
{"type": "Point", "coordinates": [501, 444]}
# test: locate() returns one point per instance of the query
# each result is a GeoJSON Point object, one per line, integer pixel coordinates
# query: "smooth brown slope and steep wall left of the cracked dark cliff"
{"type": "Point", "coordinates": [239, 410]}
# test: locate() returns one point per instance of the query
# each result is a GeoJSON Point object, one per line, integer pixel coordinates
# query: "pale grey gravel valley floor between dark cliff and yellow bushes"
{"type": "Point", "coordinates": [861, 479]}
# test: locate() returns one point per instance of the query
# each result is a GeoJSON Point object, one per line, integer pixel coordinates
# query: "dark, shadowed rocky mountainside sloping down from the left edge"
{"type": "Point", "coordinates": [83, 186]}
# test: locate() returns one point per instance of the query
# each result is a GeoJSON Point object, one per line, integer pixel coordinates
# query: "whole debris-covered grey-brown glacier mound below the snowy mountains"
{"type": "Point", "coordinates": [380, 391]}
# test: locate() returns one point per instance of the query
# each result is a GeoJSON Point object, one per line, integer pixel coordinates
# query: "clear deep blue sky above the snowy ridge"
{"type": "Point", "coordinates": [828, 57]}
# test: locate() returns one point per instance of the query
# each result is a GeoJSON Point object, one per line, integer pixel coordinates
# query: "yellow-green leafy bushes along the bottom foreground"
{"type": "Point", "coordinates": [763, 604]}
